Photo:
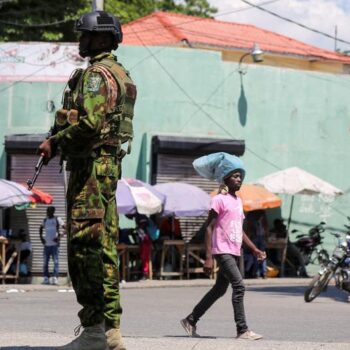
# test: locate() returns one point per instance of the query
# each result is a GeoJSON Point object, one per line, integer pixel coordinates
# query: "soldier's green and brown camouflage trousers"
{"type": "Point", "coordinates": [92, 237]}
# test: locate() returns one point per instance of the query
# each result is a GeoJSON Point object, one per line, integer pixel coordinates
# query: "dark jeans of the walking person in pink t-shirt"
{"type": "Point", "coordinates": [228, 274]}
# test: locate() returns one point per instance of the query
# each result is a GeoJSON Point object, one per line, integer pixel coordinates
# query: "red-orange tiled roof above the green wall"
{"type": "Point", "coordinates": [166, 28]}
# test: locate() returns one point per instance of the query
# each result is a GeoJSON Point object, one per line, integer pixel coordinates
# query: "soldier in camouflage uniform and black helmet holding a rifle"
{"type": "Point", "coordinates": [89, 131]}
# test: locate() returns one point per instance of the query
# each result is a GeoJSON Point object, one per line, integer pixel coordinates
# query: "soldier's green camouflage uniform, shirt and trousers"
{"type": "Point", "coordinates": [94, 164]}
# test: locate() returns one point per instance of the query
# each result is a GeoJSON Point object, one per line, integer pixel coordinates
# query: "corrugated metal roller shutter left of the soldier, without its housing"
{"type": "Point", "coordinates": [51, 181]}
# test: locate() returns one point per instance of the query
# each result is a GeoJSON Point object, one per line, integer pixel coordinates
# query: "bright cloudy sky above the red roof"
{"type": "Point", "coordinates": [322, 15]}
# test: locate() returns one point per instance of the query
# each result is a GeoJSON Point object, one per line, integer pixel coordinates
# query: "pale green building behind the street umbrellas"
{"type": "Point", "coordinates": [290, 110]}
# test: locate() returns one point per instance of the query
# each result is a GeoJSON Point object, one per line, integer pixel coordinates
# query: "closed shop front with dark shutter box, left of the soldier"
{"type": "Point", "coordinates": [21, 160]}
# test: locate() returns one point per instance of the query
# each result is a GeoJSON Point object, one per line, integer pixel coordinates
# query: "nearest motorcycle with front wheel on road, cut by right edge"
{"type": "Point", "coordinates": [338, 267]}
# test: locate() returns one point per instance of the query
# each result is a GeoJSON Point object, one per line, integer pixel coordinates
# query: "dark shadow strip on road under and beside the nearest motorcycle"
{"type": "Point", "coordinates": [331, 292]}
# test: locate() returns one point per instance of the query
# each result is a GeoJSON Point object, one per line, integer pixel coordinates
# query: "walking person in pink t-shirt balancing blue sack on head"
{"type": "Point", "coordinates": [223, 240]}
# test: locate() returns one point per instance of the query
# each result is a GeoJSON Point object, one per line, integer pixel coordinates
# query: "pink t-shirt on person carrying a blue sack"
{"type": "Point", "coordinates": [228, 233]}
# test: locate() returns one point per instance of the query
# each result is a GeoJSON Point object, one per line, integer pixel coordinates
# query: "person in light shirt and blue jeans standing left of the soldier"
{"type": "Point", "coordinates": [49, 232]}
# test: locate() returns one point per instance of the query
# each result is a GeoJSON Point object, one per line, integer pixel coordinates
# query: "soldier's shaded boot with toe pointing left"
{"type": "Point", "coordinates": [92, 338]}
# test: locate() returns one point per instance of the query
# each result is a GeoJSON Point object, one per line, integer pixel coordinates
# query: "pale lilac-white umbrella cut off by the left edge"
{"type": "Point", "coordinates": [12, 193]}
